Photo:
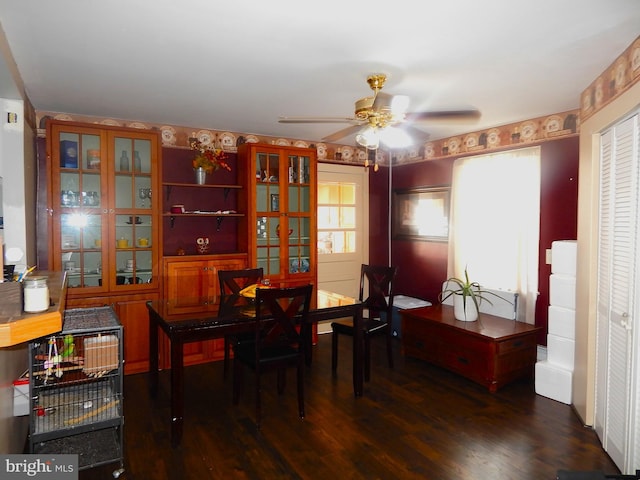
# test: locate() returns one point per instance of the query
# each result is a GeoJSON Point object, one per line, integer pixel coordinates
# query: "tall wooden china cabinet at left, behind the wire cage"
{"type": "Point", "coordinates": [102, 222]}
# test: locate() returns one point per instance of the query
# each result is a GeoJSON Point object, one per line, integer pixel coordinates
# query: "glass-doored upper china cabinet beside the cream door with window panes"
{"type": "Point", "coordinates": [281, 211]}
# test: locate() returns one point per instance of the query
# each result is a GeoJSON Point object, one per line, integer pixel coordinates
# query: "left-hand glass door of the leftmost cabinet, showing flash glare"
{"type": "Point", "coordinates": [80, 206]}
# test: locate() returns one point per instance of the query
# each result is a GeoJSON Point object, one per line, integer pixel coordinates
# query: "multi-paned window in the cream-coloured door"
{"type": "Point", "coordinates": [336, 217]}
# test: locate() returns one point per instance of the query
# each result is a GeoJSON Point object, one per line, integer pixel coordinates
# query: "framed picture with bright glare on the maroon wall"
{"type": "Point", "coordinates": [421, 213]}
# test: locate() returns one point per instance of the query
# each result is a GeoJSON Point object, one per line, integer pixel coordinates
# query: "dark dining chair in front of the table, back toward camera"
{"type": "Point", "coordinates": [280, 326]}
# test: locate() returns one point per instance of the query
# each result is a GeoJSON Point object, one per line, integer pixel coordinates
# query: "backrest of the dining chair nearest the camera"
{"type": "Point", "coordinates": [282, 317]}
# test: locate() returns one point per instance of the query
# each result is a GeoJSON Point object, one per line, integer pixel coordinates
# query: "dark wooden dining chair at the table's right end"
{"type": "Point", "coordinates": [380, 279]}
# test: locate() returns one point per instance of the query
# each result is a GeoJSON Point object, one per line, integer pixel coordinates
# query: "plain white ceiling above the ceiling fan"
{"type": "Point", "coordinates": [239, 65]}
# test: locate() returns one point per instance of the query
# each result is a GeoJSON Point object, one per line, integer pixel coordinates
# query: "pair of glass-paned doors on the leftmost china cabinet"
{"type": "Point", "coordinates": [102, 216]}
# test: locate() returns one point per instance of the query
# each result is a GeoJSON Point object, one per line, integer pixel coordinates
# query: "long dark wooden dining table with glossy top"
{"type": "Point", "coordinates": [220, 317]}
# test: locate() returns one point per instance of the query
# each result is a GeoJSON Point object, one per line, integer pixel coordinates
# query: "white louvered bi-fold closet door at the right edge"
{"type": "Point", "coordinates": [617, 289]}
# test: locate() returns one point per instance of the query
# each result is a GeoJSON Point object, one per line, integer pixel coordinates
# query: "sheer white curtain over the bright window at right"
{"type": "Point", "coordinates": [495, 223]}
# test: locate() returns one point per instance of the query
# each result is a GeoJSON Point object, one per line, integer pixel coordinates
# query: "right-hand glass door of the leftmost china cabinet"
{"type": "Point", "coordinates": [132, 228]}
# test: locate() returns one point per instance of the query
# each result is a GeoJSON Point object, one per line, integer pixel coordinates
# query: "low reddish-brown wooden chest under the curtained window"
{"type": "Point", "coordinates": [491, 351]}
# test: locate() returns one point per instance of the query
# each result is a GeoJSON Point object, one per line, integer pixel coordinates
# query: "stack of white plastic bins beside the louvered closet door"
{"type": "Point", "coordinates": [554, 375]}
